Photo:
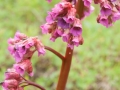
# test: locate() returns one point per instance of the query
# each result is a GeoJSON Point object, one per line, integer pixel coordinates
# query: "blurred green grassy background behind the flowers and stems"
{"type": "Point", "coordinates": [95, 65]}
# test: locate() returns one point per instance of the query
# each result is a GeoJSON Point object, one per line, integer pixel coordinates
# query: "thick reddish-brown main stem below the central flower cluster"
{"type": "Point", "coordinates": [65, 69]}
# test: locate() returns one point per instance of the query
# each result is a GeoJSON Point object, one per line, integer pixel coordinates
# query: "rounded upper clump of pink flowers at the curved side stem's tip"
{"type": "Point", "coordinates": [20, 46]}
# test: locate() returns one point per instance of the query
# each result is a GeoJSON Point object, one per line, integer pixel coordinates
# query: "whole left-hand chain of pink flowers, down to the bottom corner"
{"type": "Point", "coordinates": [21, 48]}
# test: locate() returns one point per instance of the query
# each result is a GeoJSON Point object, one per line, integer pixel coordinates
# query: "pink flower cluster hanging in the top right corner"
{"type": "Point", "coordinates": [109, 13]}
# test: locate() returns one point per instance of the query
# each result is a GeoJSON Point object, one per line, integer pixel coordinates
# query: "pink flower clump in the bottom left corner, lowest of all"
{"type": "Point", "coordinates": [12, 80]}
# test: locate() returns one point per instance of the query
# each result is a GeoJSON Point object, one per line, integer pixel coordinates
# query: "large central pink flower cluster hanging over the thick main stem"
{"type": "Point", "coordinates": [62, 22]}
